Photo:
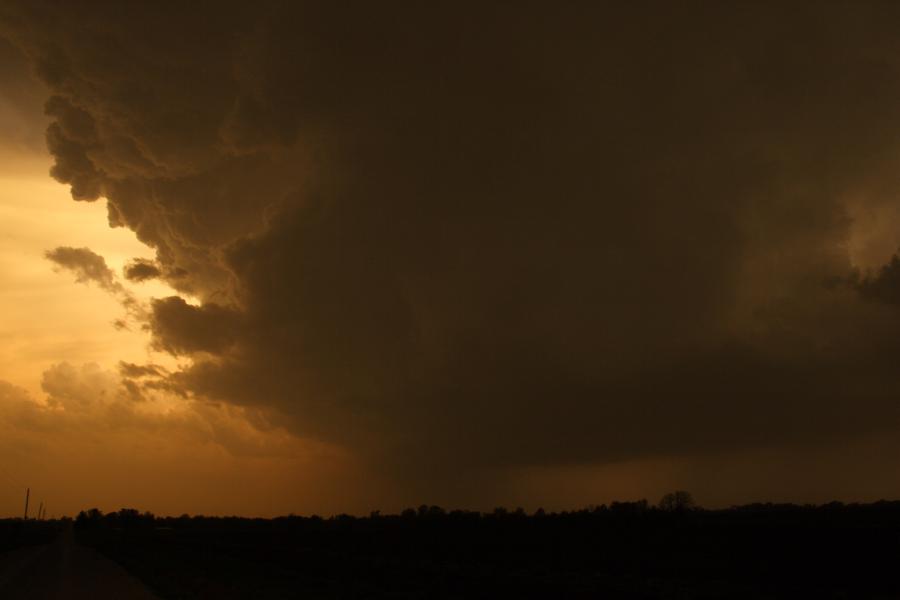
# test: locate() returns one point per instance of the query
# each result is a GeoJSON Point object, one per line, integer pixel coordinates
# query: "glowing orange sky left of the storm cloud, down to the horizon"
{"type": "Point", "coordinates": [48, 319]}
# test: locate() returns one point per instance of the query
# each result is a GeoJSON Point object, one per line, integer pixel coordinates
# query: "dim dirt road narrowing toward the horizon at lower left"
{"type": "Point", "coordinates": [65, 570]}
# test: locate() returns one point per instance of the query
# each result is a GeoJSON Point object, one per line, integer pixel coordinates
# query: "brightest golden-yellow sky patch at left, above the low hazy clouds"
{"type": "Point", "coordinates": [47, 319]}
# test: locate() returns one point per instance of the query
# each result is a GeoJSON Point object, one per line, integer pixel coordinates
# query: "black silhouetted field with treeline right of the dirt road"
{"type": "Point", "coordinates": [626, 550]}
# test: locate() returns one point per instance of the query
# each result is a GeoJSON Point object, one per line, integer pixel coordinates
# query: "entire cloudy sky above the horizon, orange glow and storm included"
{"type": "Point", "coordinates": [288, 257]}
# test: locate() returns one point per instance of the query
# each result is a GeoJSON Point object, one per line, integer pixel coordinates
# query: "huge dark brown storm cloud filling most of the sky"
{"type": "Point", "coordinates": [486, 234]}
